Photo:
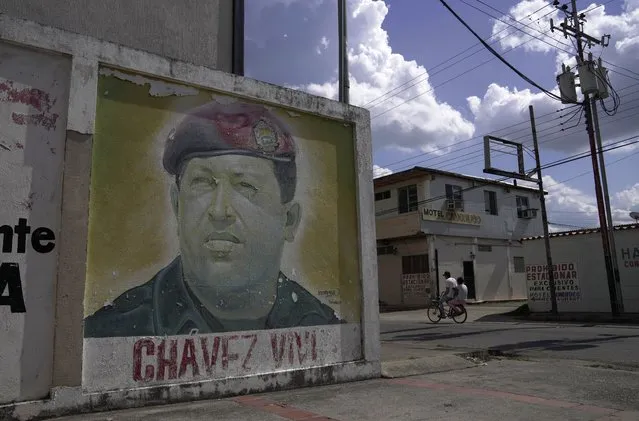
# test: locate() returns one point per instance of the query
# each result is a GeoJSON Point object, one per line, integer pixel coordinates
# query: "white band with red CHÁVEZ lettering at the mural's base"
{"type": "Point", "coordinates": [134, 362]}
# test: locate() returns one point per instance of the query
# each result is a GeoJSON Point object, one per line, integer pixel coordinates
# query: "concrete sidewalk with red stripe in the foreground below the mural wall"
{"type": "Point", "coordinates": [496, 389]}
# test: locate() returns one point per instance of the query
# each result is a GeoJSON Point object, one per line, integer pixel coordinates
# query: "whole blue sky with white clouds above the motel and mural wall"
{"type": "Point", "coordinates": [440, 111]}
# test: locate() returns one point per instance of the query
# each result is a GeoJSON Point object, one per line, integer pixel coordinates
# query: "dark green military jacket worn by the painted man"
{"type": "Point", "coordinates": [164, 306]}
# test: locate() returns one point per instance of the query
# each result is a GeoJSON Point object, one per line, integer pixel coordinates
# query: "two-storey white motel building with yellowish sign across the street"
{"type": "Point", "coordinates": [431, 221]}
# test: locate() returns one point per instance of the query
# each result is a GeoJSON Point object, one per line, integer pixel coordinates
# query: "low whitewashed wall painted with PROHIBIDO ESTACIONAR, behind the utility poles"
{"type": "Point", "coordinates": [581, 278]}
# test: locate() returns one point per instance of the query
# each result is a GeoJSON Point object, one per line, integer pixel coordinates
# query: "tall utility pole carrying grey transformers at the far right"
{"type": "Point", "coordinates": [595, 169]}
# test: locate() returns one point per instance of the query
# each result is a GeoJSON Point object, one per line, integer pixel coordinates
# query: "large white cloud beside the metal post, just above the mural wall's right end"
{"type": "Point", "coordinates": [374, 70]}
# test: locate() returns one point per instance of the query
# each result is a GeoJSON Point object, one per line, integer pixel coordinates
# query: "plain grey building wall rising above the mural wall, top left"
{"type": "Point", "coordinates": [195, 31]}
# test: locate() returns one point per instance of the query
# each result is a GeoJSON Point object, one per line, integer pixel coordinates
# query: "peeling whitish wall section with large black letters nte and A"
{"type": "Point", "coordinates": [34, 89]}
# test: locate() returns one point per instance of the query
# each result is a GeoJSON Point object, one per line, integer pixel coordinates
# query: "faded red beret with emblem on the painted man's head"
{"type": "Point", "coordinates": [220, 129]}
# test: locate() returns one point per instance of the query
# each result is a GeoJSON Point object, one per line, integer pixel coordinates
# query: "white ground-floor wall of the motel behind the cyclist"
{"type": "Point", "coordinates": [495, 279]}
